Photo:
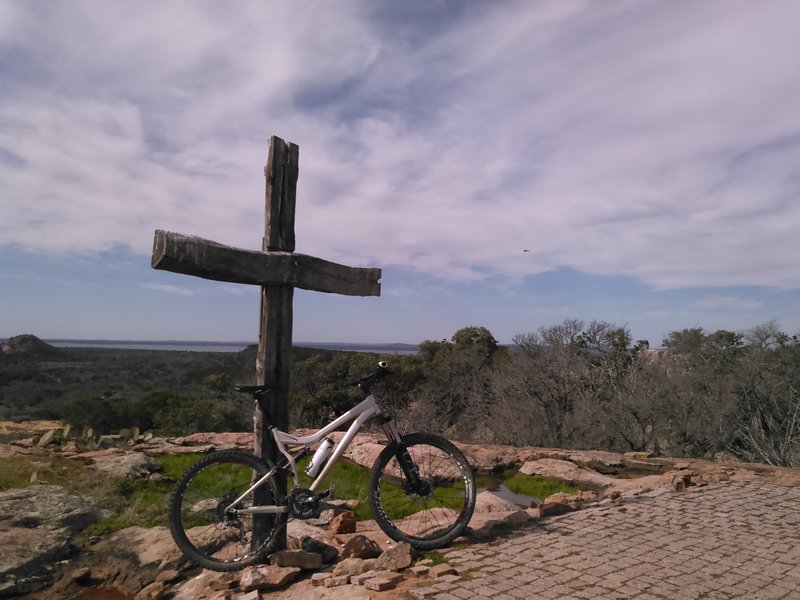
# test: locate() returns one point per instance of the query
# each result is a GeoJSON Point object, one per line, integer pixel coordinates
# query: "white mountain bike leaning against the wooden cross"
{"type": "Point", "coordinates": [421, 488]}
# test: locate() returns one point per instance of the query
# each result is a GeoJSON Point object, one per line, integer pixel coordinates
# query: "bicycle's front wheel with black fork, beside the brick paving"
{"type": "Point", "coordinates": [428, 501]}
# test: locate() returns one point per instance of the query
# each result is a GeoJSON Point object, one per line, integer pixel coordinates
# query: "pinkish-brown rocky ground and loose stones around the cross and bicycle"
{"type": "Point", "coordinates": [47, 554]}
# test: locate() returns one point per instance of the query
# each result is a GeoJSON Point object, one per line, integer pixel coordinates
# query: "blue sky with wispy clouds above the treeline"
{"type": "Point", "coordinates": [506, 164]}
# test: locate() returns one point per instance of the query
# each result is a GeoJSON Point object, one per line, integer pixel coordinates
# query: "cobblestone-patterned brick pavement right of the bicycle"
{"type": "Point", "coordinates": [727, 540]}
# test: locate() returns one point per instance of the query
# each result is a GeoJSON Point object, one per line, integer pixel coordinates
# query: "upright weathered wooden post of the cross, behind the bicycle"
{"type": "Point", "coordinates": [273, 363]}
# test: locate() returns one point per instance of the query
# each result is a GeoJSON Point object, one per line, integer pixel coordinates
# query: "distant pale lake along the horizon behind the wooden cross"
{"type": "Point", "coordinates": [184, 346]}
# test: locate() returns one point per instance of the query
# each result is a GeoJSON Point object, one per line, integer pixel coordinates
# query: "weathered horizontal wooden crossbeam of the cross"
{"type": "Point", "coordinates": [191, 255]}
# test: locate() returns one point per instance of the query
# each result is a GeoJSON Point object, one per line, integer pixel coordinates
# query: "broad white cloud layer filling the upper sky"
{"type": "Point", "coordinates": [655, 140]}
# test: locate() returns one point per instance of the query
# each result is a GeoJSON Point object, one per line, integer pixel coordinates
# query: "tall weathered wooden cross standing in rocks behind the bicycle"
{"type": "Point", "coordinates": [278, 270]}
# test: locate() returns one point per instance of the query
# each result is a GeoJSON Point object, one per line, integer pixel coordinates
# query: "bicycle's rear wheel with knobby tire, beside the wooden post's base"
{"type": "Point", "coordinates": [201, 523]}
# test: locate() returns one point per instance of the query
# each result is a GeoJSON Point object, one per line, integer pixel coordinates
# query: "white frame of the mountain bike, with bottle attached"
{"type": "Point", "coordinates": [359, 414]}
